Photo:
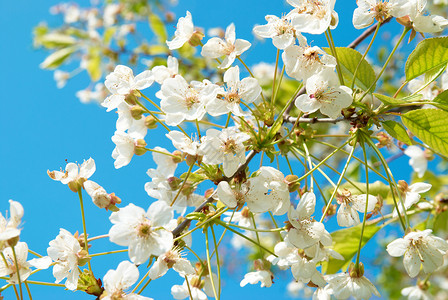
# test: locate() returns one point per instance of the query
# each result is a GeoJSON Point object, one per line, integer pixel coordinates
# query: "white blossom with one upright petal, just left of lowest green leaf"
{"type": "Point", "coordinates": [305, 231]}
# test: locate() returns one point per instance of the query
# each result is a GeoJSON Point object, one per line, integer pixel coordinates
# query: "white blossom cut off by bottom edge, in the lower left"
{"type": "Point", "coordinates": [116, 281]}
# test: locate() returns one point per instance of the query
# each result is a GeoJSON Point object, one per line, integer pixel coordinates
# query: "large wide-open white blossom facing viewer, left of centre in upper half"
{"type": "Point", "coordinates": [182, 101]}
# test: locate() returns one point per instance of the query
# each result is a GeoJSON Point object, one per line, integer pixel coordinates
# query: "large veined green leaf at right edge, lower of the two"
{"type": "Point", "coordinates": [430, 126]}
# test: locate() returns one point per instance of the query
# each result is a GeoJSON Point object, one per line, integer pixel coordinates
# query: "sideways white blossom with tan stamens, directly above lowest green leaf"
{"type": "Point", "coordinates": [350, 205]}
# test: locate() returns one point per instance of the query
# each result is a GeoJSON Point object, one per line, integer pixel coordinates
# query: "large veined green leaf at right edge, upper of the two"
{"type": "Point", "coordinates": [429, 55]}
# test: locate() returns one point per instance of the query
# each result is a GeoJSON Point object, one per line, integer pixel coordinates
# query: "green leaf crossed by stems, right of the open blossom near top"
{"type": "Point", "coordinates": [348, 60]}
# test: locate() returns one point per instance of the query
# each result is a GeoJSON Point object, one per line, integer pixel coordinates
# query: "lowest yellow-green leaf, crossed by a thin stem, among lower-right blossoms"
{"type": "Point", "coordinates": [346, 242]}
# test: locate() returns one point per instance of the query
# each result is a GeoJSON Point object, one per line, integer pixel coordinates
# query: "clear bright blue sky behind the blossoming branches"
{"type": "Point", "coordinates": [42, 126]}
